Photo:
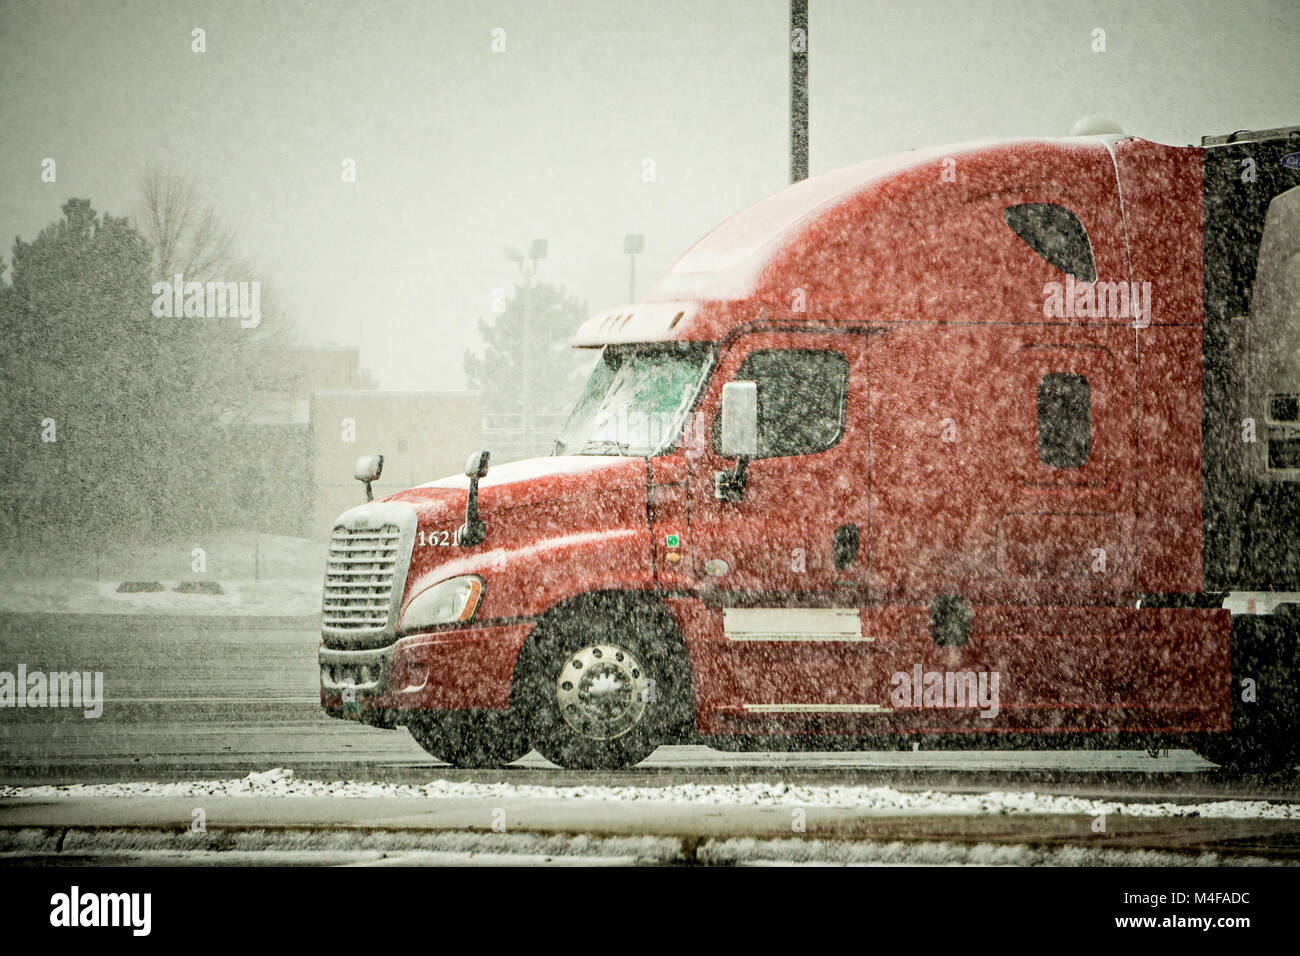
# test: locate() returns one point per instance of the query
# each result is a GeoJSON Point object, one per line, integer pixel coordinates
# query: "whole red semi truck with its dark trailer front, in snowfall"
{"type": "Point", "coordinates": [994, 445]}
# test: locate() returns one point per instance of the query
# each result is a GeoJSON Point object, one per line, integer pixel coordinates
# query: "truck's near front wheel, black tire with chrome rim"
{"type": "Point", "coordinates": [604, 682]}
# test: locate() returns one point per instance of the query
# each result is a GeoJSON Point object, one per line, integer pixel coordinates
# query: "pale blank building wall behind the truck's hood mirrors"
{"type": "Point", "coordinates": [422, 435]}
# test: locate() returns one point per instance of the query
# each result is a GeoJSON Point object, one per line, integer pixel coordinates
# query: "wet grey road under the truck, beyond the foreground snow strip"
{"type": "Point", "coordinates": [187, 700]}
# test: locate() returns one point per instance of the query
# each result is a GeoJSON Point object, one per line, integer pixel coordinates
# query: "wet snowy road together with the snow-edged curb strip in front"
{"type": "Point", "coordinates": [194, 708]}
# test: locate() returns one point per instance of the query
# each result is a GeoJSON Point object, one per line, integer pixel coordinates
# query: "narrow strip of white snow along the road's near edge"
{"type": "Point", "coordinates": [283, 782]}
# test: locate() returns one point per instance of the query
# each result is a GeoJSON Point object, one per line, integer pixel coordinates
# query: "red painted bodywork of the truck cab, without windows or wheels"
{"type": "Point", "coordinates": [938, 309]}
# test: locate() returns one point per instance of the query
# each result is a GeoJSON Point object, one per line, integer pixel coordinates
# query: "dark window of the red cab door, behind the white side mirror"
{"type": "Point", "coordinates": [801, 400]}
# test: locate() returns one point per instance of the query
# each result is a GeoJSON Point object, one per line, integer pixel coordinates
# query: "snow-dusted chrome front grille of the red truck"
{"type": "Point", "coordinates": [359, 578]}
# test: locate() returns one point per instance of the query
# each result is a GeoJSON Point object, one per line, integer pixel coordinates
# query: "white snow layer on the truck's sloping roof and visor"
{"type": "Point", "coordinates": [729, 261]}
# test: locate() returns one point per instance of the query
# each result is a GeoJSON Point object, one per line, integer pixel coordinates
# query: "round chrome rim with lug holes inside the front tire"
{"type": "Point", "coordinates": [603, 691]}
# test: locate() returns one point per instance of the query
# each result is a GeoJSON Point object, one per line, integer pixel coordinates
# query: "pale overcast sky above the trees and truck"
{"type": "Point", "coordinates": [461, 150]}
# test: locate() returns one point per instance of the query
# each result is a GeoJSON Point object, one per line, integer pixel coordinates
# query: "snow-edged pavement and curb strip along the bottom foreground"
{"type": "Point", "coordinates": [279, 819]}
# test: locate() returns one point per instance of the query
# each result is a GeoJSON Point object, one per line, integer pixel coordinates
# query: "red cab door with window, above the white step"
{"type": "Point", "coordinates": [800, 524]}
